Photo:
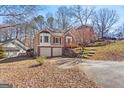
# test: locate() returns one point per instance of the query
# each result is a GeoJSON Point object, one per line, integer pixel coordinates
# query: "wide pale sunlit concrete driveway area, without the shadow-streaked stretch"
{"type": "Point", "coordinates": [107, 74]}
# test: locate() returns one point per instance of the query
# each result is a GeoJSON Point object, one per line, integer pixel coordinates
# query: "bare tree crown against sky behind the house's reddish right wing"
{"type": "Point", "coordinates": [81, 14]}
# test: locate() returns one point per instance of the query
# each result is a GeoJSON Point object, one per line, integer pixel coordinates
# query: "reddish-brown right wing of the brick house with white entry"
{"type": "Point", "coordinates": [83, 34]}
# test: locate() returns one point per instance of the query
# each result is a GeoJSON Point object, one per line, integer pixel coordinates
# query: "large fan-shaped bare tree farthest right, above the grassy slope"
{"type": "Point", "coordinates": [104, 20]}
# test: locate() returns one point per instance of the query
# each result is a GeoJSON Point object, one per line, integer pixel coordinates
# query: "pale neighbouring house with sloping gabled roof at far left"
{"type": "Point", "coordinates": [13, 48]}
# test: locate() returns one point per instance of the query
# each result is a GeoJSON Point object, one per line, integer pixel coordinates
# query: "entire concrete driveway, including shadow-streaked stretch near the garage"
{"type": "Point", "coordinates": [108, 74]}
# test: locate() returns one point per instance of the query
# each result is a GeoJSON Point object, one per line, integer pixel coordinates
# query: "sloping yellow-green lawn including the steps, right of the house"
{"type": "Point", "coordinates": [112, 51]}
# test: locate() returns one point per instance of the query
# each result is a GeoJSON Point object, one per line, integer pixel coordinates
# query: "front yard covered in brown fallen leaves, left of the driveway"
{"type": "Point", "coordinates": [22, 74]}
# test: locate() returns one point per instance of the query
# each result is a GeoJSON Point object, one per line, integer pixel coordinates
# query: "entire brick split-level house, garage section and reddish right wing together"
{"type": "Point", "coordinates": [50, 42]}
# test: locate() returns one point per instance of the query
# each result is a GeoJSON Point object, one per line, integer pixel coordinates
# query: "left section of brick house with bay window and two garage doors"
{"type": "Point", "coordinates": [49, 43]}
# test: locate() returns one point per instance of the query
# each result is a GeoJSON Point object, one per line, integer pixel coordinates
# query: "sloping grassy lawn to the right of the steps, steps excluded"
{"type": "Point", "coordinates": [113, 51]}
